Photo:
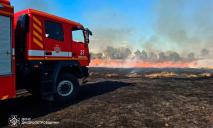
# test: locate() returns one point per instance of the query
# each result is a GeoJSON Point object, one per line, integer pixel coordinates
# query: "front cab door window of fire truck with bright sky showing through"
{"type": "Point", "coordinates": [78, 36]}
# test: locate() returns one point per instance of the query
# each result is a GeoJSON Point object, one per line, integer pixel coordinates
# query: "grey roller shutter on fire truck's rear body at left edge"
{"type": "Point", "coordinates": [5, 46]}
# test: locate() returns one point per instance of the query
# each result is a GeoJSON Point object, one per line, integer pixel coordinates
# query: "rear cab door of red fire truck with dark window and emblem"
{"type": "Point", "coordinates": [56, 46]}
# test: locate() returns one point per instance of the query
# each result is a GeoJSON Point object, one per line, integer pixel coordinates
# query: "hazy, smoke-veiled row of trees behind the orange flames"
{"type": "Point", "coordinates": [124, 53]}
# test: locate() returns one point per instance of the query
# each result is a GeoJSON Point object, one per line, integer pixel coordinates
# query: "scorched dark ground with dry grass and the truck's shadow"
{"type": "Point", "coordinates": [151, 98]}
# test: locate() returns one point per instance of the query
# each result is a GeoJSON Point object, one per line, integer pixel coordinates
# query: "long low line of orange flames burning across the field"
{"type": "Point", "coordinates": [113, 63]}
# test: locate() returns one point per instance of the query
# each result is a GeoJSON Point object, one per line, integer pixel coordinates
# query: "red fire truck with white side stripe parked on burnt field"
{"type": "Point", "coordinates": [41, 53]}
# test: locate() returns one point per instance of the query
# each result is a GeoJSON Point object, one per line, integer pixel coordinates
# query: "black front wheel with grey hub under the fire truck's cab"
{"type": "Point", "coordinates": [67, 88]}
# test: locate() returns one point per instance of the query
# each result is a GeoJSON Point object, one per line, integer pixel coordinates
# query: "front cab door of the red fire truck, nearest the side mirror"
{"type": "Point", "coordinates": [79, 46]}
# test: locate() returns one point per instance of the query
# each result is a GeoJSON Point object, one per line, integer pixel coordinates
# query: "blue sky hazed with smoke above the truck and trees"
{"type": "Point", "coordinates": [155, 25]}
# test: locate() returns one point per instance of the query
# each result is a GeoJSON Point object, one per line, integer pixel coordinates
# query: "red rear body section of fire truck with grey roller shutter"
{"type": "Point", "coordinates": [7, 76]}
